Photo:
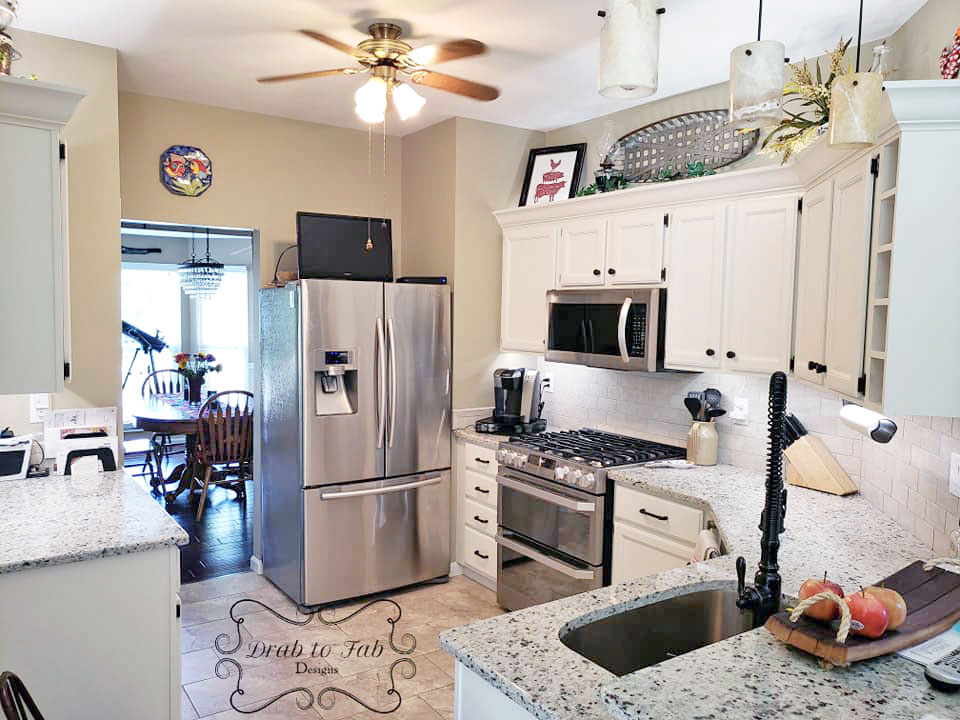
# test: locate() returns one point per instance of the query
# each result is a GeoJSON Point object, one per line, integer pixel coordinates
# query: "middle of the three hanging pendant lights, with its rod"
{"type": "Point", "coordinates": [756, 82]}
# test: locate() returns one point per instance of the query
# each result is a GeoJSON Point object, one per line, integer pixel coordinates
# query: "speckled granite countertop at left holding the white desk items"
{"type": "Point", "coordinates": [63, 519]}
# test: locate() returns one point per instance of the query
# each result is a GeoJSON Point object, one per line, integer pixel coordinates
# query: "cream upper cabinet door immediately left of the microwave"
{"type": "Point", "coordinates": [529, 270]}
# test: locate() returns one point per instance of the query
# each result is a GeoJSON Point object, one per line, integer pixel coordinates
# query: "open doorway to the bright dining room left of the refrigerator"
{"type": "Point", "coordinates": [161, 320]}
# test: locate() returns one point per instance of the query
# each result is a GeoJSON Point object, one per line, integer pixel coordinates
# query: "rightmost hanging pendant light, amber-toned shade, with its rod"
{"type": "Point", "coordinates": [855, 105]}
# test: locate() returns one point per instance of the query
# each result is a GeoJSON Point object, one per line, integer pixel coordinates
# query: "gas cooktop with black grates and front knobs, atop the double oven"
{"type": "Point", "coordinates": [580, 458]}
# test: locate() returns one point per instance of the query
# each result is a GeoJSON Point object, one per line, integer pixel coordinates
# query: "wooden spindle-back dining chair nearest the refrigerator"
{"type": "Point", "coordinates": [224, 438]}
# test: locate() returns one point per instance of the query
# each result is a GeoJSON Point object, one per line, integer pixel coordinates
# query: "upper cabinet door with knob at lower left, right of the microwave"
{"type": "Point", "coordinates": [759, 285]}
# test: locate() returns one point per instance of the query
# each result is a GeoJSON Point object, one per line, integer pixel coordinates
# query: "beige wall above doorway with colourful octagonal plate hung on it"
{"type": "Point", "coordinates": [265, 169]}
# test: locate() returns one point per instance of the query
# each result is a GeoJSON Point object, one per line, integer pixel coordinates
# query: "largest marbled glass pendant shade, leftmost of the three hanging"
{"type": "Point", "coordinates": [629, 49]}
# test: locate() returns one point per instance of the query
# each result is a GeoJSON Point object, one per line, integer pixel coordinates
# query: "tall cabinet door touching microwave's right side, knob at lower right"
{"type": "Point", "coordinates": [695, 249]}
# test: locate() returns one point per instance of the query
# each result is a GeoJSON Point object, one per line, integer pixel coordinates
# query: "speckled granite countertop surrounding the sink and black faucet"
{"type": "Point", "coordinates": [749, 676]}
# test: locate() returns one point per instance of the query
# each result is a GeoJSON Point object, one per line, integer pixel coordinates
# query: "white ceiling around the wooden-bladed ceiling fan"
{"type": "Point", "coordinates": [543, 53]}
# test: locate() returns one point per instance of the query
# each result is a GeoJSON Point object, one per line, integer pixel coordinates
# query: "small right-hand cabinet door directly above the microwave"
{"type": "Point", "coordinates": [635, 248]}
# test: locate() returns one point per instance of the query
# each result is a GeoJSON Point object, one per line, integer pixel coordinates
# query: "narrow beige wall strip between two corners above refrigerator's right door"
{"type": "Point", "coordinates": [429, 195]}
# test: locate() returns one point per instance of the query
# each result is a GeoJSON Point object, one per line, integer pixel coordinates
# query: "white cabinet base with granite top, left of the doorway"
{"type": "Point", "coordinates": [89, 607]}
